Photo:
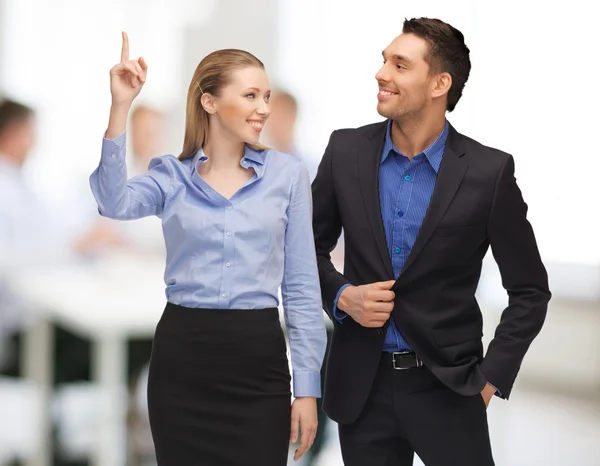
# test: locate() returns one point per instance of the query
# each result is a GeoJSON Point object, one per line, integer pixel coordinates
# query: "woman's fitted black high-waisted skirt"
{"type": "Point", "coordinates": [219, 388]}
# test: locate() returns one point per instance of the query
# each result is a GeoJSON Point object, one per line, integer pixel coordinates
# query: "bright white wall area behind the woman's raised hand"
{"type": "Point", "coordinates": [57, 56]}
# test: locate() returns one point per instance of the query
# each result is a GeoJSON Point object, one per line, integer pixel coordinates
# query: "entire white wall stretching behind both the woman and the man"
{"type": "Point", "coordinates": [531, 90]}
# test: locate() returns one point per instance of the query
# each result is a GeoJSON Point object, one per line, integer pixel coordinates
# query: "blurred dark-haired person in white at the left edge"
{"type": "Point", "coordinates": [31, 234]}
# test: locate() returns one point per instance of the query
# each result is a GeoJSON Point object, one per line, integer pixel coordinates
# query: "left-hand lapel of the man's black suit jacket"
{"type": "Point", "coordinates": [369, 159]}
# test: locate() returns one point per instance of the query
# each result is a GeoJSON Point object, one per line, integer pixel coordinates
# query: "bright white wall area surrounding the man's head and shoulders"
{"type": "Point", "coordinates": [531, 93]}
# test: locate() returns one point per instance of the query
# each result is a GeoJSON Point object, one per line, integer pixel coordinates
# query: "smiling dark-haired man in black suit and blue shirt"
{"type": "Point", "coordinates": [419, 204]}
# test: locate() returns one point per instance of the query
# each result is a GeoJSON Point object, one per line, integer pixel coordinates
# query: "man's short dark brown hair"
{"type": "Point", "coordinates": [447, 52]}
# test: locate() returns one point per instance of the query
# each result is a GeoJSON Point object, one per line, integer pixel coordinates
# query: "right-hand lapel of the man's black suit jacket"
{"type": "Point", "coordinates": [452, 170]}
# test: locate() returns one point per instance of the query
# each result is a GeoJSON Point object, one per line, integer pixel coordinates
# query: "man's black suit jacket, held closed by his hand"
{"type": "Point", "coordinates": [476, 203]}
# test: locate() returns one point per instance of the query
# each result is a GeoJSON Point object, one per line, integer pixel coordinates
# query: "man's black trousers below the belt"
{"type": "Point", "coordinates": [411, 411]}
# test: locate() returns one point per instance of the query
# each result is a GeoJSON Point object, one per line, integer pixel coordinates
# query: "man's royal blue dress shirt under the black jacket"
{"type": "Point", "coordinates": [405, 189]}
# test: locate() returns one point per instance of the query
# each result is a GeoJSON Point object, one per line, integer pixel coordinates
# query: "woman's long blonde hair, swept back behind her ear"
{"type": "Point", "coordinates": [212, 74]}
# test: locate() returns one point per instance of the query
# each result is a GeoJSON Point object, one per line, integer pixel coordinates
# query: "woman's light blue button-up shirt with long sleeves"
{"type": "Point", "coordinates": [230, 253]}
